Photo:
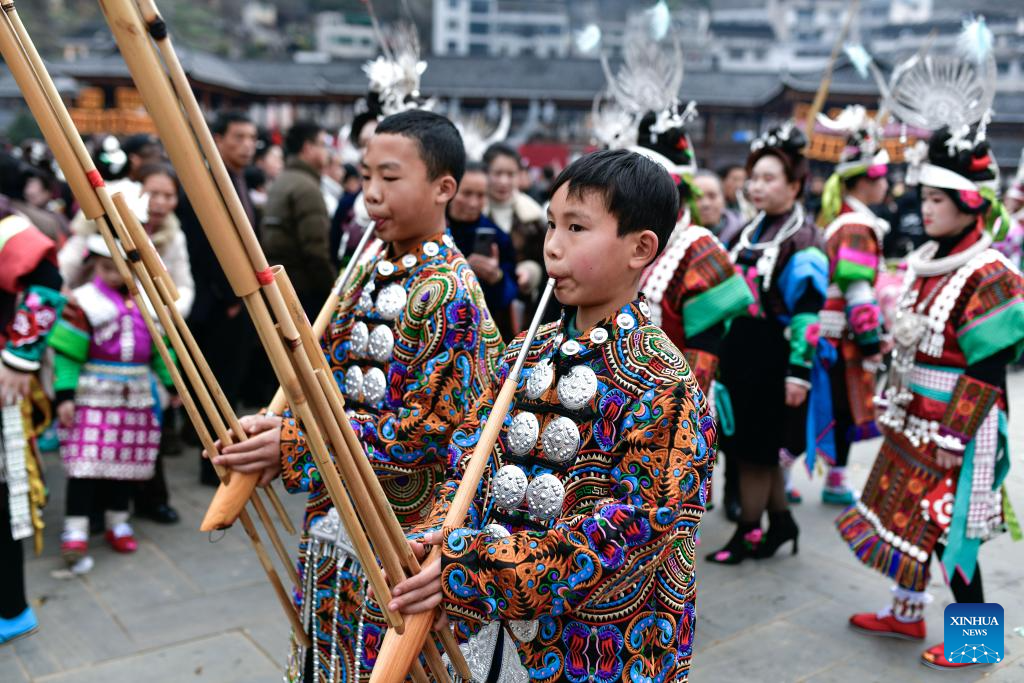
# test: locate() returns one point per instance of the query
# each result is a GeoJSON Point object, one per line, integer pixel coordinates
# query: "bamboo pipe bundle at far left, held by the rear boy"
{"type": "Point", "coordinates": [49, 109]}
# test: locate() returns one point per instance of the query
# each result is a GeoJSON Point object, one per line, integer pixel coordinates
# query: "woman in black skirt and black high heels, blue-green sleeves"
{"type": "Point", "coordinates": [766, 357]}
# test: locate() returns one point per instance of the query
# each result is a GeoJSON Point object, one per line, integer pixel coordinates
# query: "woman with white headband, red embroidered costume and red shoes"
{"type": "Point", "coordinates": [936, 487]}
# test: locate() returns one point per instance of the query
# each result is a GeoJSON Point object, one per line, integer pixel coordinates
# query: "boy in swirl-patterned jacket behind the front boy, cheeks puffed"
{"type": "Point", "coordinates": [412, 347]}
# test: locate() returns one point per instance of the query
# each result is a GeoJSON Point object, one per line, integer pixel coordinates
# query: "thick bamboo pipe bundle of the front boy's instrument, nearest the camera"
{"type": "Point", "coordinates": [173, 106]}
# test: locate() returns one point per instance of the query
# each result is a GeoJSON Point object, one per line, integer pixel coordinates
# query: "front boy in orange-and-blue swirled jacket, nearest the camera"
{"type": "Point", "coordinates": [581, 542]}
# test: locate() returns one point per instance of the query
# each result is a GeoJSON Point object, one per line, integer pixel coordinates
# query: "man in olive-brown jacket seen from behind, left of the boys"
{"type": "Point", "coordinates": [295, 222]}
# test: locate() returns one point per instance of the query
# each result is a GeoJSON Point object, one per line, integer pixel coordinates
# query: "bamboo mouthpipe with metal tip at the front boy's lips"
{"type": "Point", "coordinates": [398, 651]}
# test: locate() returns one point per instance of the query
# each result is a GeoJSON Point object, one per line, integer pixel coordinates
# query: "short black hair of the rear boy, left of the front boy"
{"type": "Point", "coordinates": [440, 143]}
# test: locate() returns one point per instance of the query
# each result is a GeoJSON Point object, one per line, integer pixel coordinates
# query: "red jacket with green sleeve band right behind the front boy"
{"type": "Point", "coordinates": [695, 290]}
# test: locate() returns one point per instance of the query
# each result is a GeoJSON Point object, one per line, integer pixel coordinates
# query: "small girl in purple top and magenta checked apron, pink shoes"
{"type": "Point", "coordinates": [107, 405]}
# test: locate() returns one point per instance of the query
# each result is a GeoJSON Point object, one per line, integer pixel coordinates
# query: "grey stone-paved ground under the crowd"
{"type": "Point", "coordinates": [184, 609]}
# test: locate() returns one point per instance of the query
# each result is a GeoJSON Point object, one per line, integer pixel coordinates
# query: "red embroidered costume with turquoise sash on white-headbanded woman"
{"type": "Point", "coordinates": [948, 322]}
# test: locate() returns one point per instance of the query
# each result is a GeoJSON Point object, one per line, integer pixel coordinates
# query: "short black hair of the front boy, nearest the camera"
{"type": "Point", "coordinates": [639, 193]}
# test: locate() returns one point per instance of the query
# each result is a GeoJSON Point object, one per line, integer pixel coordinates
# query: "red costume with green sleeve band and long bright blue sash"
{"type": "Point", "coordinates": [851, 325]}
